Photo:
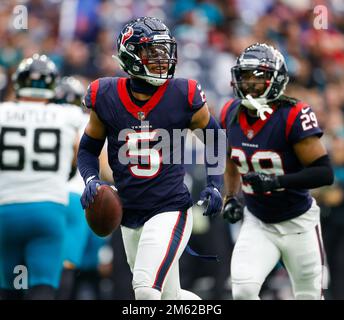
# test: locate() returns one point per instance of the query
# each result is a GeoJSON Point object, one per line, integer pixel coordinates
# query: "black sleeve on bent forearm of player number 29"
{"type": "Point", "coordinates": [319, 173]}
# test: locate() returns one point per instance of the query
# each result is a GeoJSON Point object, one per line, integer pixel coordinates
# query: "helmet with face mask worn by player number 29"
{"type": "Point", "coordinates": [260, 72]}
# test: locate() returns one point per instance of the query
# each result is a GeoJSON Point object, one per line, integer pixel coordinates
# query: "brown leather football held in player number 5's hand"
{"type": "Point", "coordinates": [104, 215]}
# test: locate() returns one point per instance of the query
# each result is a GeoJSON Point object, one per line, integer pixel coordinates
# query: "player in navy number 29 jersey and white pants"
{"type": "Point", "coordinates": [275, 155]}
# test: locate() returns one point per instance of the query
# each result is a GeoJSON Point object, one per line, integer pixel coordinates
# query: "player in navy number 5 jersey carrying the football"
{"type": "Point", "coordinates": [157, 214]}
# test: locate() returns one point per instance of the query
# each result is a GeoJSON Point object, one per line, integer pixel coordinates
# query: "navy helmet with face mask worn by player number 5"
{"type": "Point", "coordinates": [146, 50]}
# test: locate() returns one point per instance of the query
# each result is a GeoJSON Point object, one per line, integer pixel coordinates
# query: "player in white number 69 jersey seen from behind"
{"type": "Point", "coordinates": [38, 141]}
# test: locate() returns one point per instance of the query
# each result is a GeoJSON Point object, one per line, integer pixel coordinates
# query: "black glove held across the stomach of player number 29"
{"type": "Point", "coordinates": [261, 182]}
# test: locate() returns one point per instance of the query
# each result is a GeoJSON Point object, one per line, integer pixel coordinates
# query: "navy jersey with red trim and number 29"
{"type": "Point", "coordinates": [267, 146]}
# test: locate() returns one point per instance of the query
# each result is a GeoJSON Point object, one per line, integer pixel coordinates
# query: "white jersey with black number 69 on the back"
{"type": "Point", "coordinates": [36, 151]}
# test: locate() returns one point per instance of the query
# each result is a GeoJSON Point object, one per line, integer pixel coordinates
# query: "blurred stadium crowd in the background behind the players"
{"type": "Point", "coordinates": [80, 35]}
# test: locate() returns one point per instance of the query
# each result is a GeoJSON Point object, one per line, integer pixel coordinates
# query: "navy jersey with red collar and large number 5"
{"type": "Point", "coordinates": [147, 185]}
